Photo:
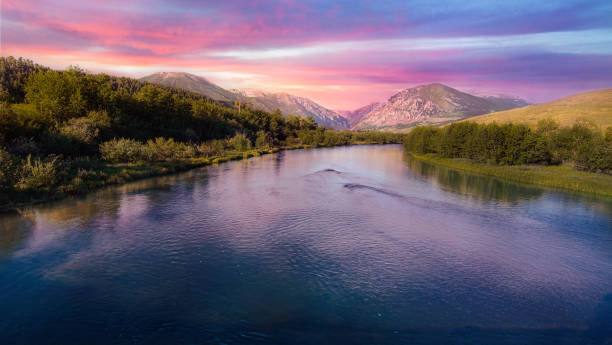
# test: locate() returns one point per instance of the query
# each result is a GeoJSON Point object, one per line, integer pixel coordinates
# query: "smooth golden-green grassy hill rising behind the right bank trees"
{"type": "Point", "coordinates": [595, 106]}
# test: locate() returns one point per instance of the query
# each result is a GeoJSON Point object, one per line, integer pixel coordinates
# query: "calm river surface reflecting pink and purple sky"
{"type": "Point", "coordinates": [342, 245]}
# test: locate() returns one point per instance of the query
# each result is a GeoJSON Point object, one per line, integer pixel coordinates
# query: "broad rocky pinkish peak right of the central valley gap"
{"type": "Point", "coordinates": [431, 104]}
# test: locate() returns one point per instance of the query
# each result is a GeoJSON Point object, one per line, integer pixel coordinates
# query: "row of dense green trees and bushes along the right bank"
{"type": "Point", "coordinates": [582, 144]}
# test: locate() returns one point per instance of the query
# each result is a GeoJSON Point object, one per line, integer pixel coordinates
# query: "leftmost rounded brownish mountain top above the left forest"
{"type": "Point", "coordinates": [192, 83]}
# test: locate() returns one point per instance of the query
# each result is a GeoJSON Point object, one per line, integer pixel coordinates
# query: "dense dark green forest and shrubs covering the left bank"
{"type": "Point", "coordinates": [68, 132]}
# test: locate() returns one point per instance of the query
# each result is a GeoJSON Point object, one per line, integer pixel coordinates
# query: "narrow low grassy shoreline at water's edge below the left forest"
{"type": "Point", "coordinates": [122, 173]}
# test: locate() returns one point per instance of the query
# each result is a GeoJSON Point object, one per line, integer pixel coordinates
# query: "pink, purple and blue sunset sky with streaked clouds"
{"type": "Point", "coordinates": [342, 54]}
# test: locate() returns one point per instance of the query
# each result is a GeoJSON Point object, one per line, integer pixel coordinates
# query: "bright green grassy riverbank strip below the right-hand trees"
{"type": "Point", "coordinates": [555, 176]}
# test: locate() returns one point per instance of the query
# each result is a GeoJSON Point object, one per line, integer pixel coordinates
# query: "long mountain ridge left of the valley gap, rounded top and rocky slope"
{"type": "Point", "coordinates": [286, 103]}
